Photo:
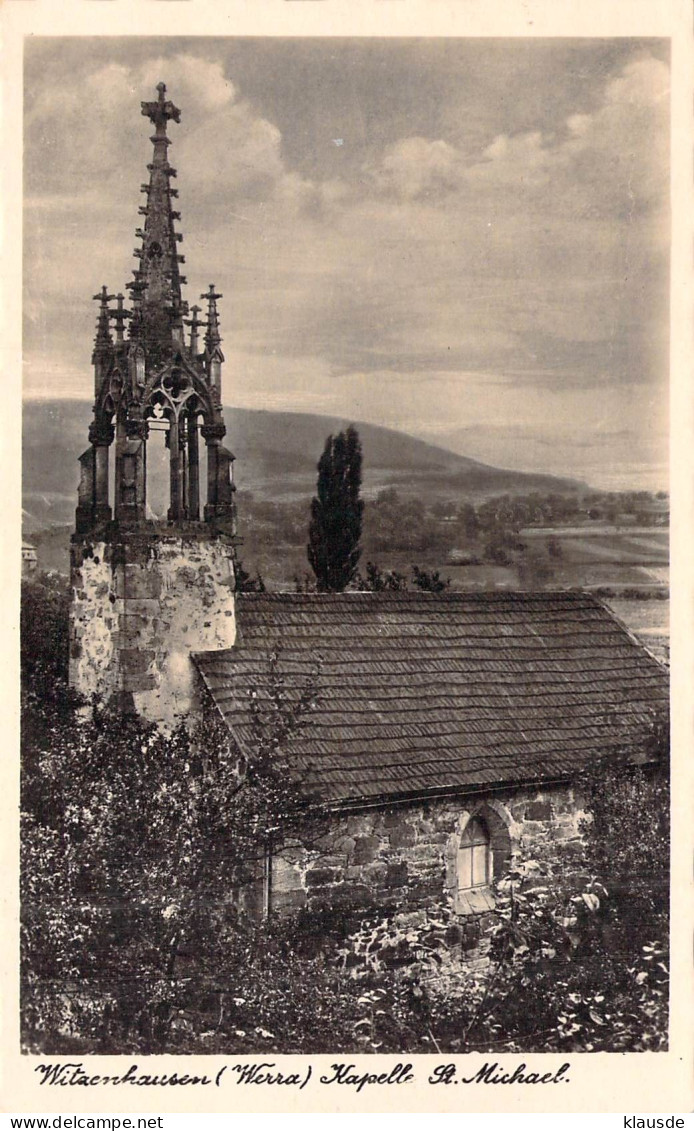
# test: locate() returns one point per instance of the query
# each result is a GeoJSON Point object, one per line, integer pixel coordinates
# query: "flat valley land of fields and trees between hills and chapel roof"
{"type": "Point", "coordinates": [624, 565]}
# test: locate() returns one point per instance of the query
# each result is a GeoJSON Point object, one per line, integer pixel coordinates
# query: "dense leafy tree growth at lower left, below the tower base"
{"type": "Point", "coordinates": [142, 862]}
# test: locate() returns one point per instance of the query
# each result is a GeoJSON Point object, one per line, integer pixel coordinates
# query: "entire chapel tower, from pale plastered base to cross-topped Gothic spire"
{"type": "Point", "coordinates": [146, 593]}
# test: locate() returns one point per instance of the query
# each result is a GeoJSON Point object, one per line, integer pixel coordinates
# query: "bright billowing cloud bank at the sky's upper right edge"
{"type": "Point", "coordinates": [611, 162]}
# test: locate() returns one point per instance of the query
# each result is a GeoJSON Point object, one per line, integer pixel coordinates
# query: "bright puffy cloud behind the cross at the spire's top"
{"type": "Point", "coordinates": [225, 141]}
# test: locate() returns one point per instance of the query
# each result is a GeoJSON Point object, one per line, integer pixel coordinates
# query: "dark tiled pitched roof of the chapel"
{"type": "Point", "coordinates": [422, 694]}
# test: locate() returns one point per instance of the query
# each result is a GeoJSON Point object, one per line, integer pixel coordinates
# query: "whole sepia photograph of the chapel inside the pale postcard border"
{"type": "Point", "coordinates": [345, 562]}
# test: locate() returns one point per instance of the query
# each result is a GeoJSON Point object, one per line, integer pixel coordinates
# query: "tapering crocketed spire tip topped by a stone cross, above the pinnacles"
{"type": "Point", "coordinates": [159, 306]}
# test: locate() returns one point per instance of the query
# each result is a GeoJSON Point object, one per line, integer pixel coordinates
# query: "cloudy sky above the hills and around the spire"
{"type": "Point", "coordinates": [467, 240]}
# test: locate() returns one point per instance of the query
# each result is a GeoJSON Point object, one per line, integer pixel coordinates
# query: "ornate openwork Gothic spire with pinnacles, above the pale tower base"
{"type": "Point", "coordinates": [151, 379]}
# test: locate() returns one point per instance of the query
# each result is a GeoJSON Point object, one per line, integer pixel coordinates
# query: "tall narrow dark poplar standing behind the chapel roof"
{"type": "Point", "coordinates": [336, 514]}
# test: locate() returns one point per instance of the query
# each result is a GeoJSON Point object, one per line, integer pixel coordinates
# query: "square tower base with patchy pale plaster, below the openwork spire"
{"type": "Point", "coordinates": [140, 608]}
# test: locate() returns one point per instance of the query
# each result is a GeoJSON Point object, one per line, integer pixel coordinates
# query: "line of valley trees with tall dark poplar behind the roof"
{"type": "Point", "coordinates": [342, 531]}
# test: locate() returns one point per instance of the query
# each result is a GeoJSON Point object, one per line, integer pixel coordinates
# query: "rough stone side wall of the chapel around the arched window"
{"type": "Point", "coordinates": [405, 858]}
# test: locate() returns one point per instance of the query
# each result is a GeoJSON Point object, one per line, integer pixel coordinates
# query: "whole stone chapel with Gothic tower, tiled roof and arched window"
{"type": "Point", "coordinates": [448, 730]}
